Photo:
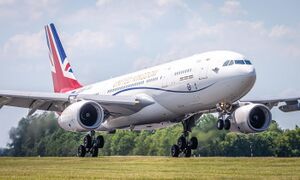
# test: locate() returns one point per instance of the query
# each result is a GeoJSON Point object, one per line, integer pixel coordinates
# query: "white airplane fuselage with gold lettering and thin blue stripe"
{"type": "Point", "coordinates": [186, 86]}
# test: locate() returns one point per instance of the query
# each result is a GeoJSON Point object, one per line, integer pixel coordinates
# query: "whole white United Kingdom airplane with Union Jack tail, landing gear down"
{"type": "Point", "coordinates": [180, 91]}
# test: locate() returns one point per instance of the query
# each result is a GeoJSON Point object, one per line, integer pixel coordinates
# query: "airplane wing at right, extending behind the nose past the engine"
{"type": "Point", "coordinates": [285, 104]}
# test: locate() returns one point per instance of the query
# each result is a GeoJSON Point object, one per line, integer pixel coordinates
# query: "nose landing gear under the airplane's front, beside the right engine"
{"type": "Point", "coordinates": [224, 120]}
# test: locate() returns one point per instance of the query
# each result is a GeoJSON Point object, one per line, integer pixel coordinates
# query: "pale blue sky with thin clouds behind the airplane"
{"type": "Point", "coordinates": [107, 38]}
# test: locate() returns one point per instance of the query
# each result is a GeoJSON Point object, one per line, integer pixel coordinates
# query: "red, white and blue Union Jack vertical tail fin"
{"type": "Point", "coordinates": [62, 73]}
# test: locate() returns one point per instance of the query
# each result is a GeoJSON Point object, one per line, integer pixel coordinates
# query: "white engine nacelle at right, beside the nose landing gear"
{"type": "Point", "coordinates": [251, 118]}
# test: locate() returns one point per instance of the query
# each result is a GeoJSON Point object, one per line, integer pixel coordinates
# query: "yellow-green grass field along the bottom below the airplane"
{"type": "Point", "coordinates": [149, 168]}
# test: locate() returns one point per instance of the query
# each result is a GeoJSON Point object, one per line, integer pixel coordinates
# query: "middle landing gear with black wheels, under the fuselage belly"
{"type": "Point", "coordinates": [185, 146]}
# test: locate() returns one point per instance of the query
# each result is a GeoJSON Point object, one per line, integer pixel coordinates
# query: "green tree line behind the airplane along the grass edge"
{"type": "Point", "coordinates": [40, 135]}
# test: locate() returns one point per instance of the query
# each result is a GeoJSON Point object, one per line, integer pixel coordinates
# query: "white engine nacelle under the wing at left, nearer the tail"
{"type": "Point", "coordinates": [82, 116]}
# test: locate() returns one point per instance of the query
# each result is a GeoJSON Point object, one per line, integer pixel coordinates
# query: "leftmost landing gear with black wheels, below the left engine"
{"type": "Point", "coordinates": [91, 144]}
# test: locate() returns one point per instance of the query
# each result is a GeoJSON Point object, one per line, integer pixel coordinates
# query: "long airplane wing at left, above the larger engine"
{"type": "Point", "coordinates": [115, 105]}
